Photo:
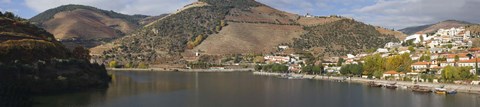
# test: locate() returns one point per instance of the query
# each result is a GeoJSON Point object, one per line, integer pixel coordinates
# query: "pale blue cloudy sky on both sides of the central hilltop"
{"type": "Point", "coordinates": [394, 14]}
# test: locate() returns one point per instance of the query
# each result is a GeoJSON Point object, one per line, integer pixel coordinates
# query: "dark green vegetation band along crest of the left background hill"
{"type": "Point", "coordinates": [47, 15]}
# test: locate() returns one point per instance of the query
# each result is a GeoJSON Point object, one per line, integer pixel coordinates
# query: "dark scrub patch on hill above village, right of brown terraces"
{"type": "Point", "coordinates": [342, 37]}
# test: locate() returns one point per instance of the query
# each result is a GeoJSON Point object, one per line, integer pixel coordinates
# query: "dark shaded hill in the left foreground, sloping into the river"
{"type": "Point", "coordinates": [32, 61]}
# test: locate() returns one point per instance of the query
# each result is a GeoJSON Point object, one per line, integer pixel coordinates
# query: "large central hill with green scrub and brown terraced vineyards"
{"type": "Point", "coordinates": [231, 27]}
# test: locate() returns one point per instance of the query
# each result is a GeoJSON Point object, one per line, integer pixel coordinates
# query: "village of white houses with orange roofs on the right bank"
{"type": "Point", "coordinates": [446, 56]}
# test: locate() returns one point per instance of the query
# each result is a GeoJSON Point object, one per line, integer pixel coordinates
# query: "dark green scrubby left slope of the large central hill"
{"type": "Point", "coordinates": [172, 35]}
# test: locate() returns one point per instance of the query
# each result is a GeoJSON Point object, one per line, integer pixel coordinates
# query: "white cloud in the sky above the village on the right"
{"type": "Point", "coordinates": [404, 13]}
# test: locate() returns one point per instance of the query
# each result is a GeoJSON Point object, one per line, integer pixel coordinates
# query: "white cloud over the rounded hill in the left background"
{"type": "Point", "coordinates": [147, 7]}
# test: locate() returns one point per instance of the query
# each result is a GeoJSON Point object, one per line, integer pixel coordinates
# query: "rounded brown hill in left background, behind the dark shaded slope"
{"type": "Point", "coordinates": [78, 23]}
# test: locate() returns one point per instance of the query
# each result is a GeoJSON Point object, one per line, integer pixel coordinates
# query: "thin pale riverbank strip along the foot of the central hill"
{"type": "Point", "coordinates": [181, 70]}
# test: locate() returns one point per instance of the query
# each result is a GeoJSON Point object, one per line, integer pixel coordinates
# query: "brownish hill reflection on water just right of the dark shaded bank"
{"type": "Point", "coordinates": [135, 83]}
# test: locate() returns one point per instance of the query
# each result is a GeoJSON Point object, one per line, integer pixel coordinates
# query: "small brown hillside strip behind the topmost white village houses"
{"type": "Point", "coordinates": [432, 28]}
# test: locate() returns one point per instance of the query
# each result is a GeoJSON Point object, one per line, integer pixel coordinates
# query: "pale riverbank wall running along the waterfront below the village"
{"type": "Point", "coordinates": [460, 88]}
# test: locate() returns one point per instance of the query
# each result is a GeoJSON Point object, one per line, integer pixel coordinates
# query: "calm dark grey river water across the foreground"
{"type": "Point", "coordinates": [243, 89]}
